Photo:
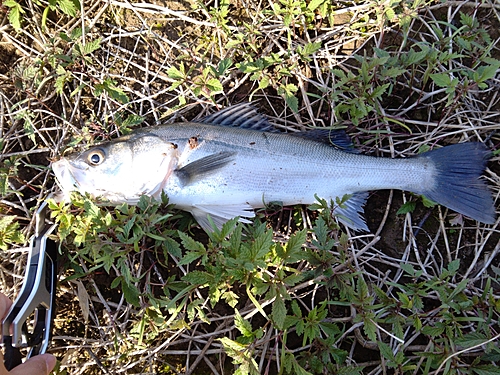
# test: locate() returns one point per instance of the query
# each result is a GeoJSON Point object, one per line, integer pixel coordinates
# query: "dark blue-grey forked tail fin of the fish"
{"type": "Point", "coordinates": [458, 185]}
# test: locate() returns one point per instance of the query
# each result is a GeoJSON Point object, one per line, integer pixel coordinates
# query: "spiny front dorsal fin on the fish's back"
{"type": "Point", "coordinates": [242, 115]}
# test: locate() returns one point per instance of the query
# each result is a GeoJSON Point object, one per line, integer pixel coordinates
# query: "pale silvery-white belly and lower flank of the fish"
{"type": "Point", "coordinates": [292, 180]}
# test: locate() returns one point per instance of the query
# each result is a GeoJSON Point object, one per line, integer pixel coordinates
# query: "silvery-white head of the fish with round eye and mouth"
{"type": "Point", "coordinates": [119, 171]}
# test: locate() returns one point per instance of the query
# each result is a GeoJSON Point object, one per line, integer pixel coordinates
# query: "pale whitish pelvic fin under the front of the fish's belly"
{"type": "Point", "coordinates": [220, 214]}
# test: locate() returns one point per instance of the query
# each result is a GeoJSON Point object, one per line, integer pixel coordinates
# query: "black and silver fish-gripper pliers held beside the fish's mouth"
{"type": "Point", "coordinates": [28, 323]}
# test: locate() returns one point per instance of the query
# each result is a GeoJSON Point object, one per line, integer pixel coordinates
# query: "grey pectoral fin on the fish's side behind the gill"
{"type": "Point", "coordinates": [204, 166]}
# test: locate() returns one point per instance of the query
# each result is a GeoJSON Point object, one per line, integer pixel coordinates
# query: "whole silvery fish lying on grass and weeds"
{"type": "Point", "coordinates": [234, 161]}
